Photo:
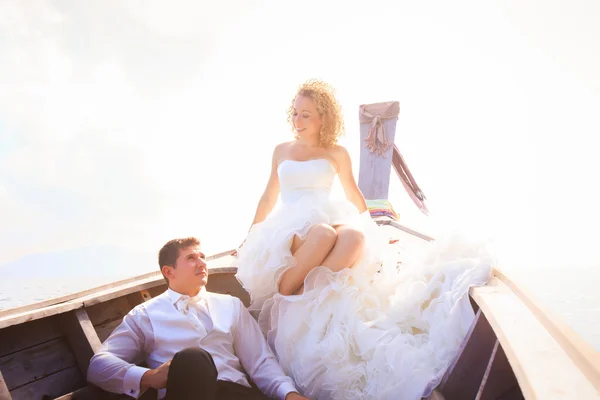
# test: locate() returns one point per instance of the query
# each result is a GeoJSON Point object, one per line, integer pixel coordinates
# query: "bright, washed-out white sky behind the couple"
{"type": "Point", "coordinates": [129, 123]}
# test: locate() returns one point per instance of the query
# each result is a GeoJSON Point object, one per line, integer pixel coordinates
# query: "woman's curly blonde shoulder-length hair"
{"type": "Point", "coordinates": [327, 106]}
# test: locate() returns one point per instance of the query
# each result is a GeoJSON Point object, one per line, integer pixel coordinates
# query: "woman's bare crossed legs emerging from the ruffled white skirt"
{"type": "Point", "coordinates": [335, 247]}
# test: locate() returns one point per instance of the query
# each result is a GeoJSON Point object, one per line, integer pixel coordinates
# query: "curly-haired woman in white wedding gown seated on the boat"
{"type": "Point", "coordinates": [343, 320]}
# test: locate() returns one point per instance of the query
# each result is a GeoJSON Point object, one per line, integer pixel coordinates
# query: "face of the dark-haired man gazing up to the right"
{"type": "Point", "coordinates": [190, 269]}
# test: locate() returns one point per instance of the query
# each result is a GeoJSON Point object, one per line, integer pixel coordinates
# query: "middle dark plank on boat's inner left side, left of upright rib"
{"type": "Point", "coordinates": [36, 362]}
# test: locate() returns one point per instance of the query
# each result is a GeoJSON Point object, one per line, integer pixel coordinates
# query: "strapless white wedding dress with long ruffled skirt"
{"type": "Point", "coordinates": [375, 331]}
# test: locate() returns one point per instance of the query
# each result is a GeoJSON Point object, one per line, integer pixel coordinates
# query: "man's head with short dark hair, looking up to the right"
{"type": "Point", "coordinates": [183, 265]}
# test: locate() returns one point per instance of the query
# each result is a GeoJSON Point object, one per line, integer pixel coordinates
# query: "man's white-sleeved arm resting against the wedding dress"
{"type": "Point", "coordinates": [257, 358]}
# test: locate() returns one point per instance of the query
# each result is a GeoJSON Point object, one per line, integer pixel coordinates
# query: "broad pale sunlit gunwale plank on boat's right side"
{"type": "Point", "coordinates": [541, 365]}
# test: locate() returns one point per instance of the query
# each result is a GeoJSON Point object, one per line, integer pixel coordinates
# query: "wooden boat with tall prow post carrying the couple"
{"type": "Point", "coordinates": [515, 348]}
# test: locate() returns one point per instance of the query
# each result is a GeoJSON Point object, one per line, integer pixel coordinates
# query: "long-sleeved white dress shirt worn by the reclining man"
{"type": "Point", "coordinates": [157, 329]}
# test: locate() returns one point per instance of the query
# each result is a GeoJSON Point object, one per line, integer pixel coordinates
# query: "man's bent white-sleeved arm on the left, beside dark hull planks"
{"type": "Point", "coordinates": [113, 368]}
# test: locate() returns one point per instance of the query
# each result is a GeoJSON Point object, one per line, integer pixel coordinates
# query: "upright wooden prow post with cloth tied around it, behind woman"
{"type": "Point", "coordinates": [375, 169]}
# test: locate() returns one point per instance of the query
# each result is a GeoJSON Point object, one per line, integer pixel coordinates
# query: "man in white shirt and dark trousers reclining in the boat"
{"type": "Point", "coordinates": [197, 344]}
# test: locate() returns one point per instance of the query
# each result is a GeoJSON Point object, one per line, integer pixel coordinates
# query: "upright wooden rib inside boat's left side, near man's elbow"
{"type": "Point", "coordinates": [82, 337]}
